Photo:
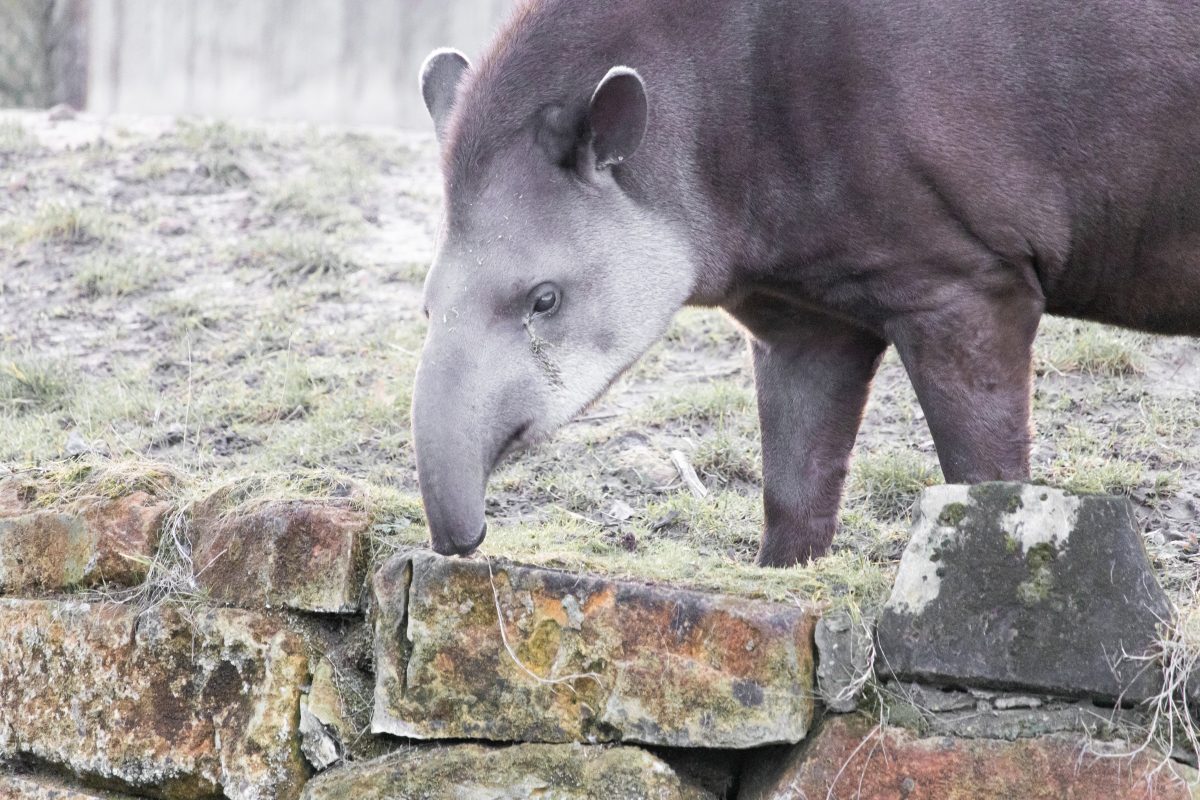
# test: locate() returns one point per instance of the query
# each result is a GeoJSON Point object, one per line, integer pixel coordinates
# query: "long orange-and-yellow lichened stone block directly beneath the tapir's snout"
{"type": "Point", "coordinates": [583, 659]}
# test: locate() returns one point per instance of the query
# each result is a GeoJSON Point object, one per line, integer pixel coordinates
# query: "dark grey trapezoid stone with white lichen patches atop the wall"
{"type": "Point", "coordinates": [1025, 588]}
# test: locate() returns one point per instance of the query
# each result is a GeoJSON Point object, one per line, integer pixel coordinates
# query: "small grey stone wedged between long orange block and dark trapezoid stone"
{"type": "Point", "coordinates": [845, 653]}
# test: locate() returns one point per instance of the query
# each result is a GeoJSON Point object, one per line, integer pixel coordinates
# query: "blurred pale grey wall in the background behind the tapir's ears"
{"type": "Point", "coordinates": [352, 62]}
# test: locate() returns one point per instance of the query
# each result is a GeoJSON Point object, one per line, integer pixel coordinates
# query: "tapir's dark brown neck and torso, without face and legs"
{"type": "Point", "coordinates": [805, 139]}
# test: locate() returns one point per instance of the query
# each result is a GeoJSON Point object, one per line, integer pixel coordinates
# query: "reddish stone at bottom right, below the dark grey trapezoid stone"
{"type": "Point", "coordinates": [851, 757]}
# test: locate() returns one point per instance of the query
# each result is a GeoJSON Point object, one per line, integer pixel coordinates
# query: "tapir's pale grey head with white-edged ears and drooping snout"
{"type": "Point", "coordinates": [551, 275]}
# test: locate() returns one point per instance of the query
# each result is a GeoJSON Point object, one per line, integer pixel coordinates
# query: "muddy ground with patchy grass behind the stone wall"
{"type": "Point", "coordinates": [241, 306]}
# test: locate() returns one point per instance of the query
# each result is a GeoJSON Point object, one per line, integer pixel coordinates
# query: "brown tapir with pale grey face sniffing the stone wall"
{"type": "Point", "coordinates": [841, 177]}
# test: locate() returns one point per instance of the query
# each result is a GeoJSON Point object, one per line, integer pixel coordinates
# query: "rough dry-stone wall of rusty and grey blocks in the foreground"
{"type": "Point", "coordinates": [287, 652]}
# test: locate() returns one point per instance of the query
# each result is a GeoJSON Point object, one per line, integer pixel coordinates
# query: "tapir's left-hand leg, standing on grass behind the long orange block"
{"type": "Point", "coordinates": [813, 375]}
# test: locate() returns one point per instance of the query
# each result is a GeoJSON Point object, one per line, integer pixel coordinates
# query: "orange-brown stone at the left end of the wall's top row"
{"type": "Point", "coordinates": [85, 545]}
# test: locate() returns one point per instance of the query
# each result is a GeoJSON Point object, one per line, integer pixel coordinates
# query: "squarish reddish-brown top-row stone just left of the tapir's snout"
{"type": "Point", "coordinates": [296, 555]}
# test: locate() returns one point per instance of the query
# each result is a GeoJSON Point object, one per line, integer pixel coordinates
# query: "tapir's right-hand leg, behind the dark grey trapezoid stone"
{"type": "Point", "coordinates": [970, 359]}
